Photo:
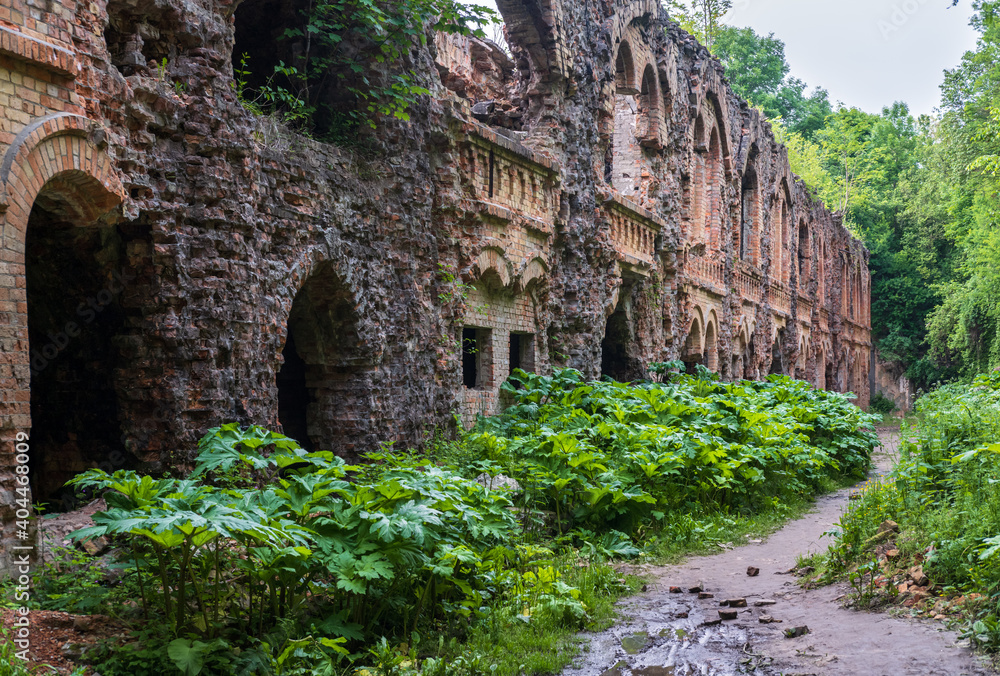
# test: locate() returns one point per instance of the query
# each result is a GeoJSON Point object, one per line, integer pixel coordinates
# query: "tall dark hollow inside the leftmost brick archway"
{"type": "Point", "coordinates": [76, 275]}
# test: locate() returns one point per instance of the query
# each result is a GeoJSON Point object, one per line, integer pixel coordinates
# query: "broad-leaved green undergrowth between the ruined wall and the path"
{"type": "Point", "coordinates": [270, 559]}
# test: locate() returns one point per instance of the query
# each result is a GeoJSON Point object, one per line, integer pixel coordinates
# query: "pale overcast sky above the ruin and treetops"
{"type": "Point", "coordinates": [866, 53]}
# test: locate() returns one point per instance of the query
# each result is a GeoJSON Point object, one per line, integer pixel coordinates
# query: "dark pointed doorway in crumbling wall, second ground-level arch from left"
{"type": "Point", "coordinates": [325, 394]}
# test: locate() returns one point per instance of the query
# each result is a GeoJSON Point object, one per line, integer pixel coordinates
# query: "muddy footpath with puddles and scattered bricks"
{"type": "Point", "coordinates": [662, 633]}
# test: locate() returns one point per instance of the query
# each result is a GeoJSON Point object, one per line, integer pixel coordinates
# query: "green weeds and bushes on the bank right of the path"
{"type": "Point", "coordinates": [944, 496]}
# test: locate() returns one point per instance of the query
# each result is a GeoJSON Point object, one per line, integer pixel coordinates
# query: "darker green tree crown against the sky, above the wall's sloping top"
{"type": "Point", "coordinates": [758, 71]}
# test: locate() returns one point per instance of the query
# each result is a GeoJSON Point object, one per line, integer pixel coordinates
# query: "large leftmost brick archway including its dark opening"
{"type": "Point", "coordinates": [60, 280]}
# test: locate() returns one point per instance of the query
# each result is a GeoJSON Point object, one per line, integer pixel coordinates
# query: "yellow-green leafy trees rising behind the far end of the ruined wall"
{"type": "Point", "coordinates": [879, 170]}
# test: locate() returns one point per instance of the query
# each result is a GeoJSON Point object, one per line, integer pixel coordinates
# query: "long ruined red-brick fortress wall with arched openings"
{"type": "Point", "coordinates": [598, 198]}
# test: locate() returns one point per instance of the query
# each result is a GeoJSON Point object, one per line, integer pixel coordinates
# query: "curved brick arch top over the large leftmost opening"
{"type": "Point", "coordinates": [56, 152]}
